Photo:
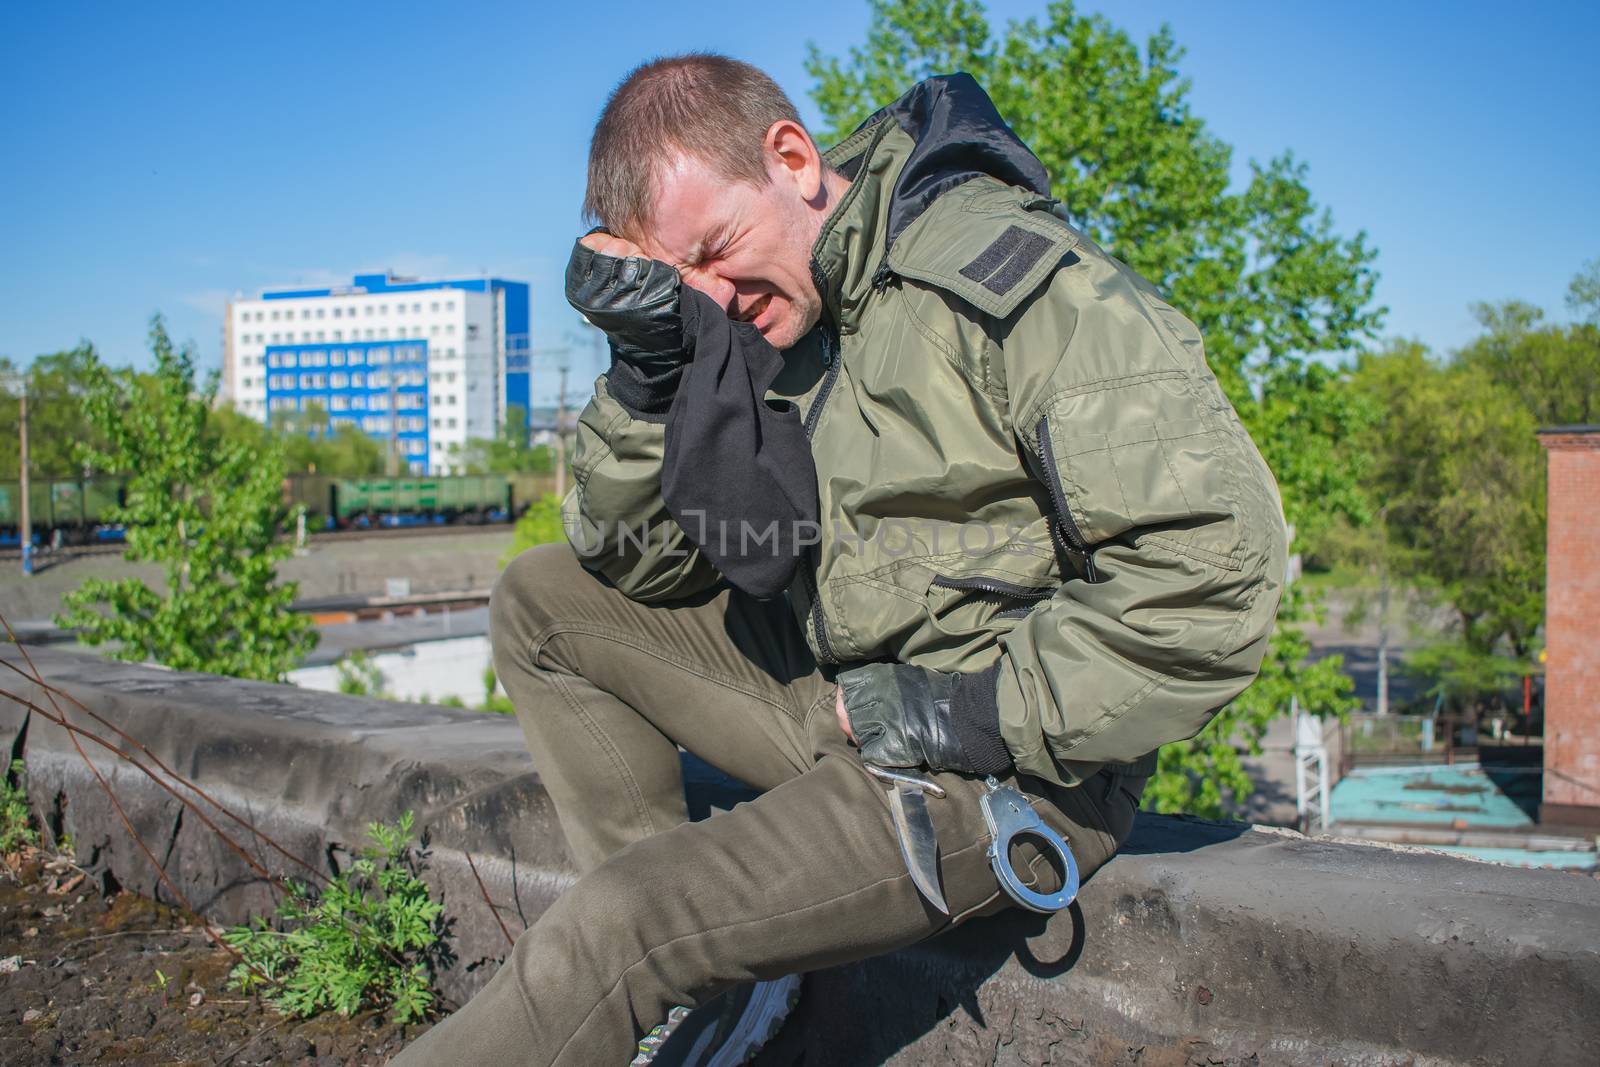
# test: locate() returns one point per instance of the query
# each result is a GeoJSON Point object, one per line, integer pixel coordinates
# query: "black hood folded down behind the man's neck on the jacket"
{"type": "Point", "coordinates": [959, 135]}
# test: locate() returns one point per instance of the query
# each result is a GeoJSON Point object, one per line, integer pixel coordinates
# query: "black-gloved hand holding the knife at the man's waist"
{"type": "Point", "coordinates": [905, 716]}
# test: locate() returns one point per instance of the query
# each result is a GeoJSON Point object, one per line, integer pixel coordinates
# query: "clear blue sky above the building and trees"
{"type": "Point", "coordinates": [166, 156]}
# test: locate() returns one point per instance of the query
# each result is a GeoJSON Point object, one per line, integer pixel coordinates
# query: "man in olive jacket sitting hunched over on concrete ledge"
{"type": "Point", "coordinates": [892, 468]}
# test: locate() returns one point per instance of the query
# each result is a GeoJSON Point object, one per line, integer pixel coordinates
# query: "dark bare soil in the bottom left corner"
{"type": "Point", "coordinates": [81, 983]}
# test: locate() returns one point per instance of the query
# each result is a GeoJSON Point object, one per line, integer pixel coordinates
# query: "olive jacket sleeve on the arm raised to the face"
{"type": "Point", "coordinates": [615, 516]}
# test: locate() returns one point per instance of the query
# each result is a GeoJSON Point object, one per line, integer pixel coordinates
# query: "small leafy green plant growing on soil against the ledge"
{"type": "Point", "coordinates": [369, 940]}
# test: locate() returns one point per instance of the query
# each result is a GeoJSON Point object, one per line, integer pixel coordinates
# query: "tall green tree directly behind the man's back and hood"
{"type": "Point", "coordinates": [1260, 270]}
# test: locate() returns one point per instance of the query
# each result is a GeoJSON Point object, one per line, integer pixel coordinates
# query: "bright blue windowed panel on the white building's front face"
{"type": "Point", "coordinates": [358, 383]}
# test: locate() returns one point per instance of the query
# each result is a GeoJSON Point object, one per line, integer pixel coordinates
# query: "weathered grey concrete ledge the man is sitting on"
{"type": "Point", "coordinates": [1202, 943]}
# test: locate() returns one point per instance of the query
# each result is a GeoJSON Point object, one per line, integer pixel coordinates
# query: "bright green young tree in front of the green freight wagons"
{"type": "Point", "coordinates": [209, 510]}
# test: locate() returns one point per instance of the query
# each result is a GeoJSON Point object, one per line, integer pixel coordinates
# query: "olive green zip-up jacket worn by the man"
{"type": "Point", "coordinates": [1025, 468]}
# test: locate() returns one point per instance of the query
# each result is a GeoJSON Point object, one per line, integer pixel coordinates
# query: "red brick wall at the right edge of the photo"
{"type": "Point", "coordinates": [1572, 621]}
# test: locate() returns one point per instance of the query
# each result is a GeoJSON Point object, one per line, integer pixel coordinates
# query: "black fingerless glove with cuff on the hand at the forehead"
{"type": "Point", "coordinates": [636, 303]}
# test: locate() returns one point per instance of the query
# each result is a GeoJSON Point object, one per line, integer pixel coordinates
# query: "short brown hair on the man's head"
{"type": "Point", "coordinates": [708, 106]}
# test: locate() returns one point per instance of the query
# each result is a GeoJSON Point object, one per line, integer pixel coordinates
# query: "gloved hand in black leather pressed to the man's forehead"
{"type": "Point", "coordinates": [634, 300]}
